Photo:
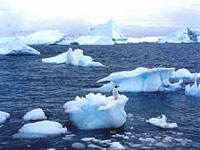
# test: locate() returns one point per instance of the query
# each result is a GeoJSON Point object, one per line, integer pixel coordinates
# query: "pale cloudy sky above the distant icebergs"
{"type": "Point", "coordinates": [74, 17]}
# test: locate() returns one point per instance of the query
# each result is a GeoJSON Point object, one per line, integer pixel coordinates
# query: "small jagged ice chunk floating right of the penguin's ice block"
{"type": "Point", "coordinates": [161, 122]}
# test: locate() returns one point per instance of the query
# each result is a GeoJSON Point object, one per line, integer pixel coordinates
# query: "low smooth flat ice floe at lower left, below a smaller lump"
{"type": "Point", "coordinates": [40, 129]}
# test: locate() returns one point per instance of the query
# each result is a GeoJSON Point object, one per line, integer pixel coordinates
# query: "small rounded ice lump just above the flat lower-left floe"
{"type": "Point", "coordinates": [35, 114]}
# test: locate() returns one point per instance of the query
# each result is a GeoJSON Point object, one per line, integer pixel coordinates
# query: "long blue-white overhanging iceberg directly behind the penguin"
{"type": "Point", "coordinates": [140, 80]}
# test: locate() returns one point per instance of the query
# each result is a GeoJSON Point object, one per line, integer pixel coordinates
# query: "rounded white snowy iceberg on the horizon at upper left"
{"type": "Point", "coordinates": [43, 37]}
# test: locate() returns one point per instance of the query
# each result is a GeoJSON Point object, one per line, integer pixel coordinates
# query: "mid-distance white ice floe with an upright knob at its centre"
{"type": "Point", "coordinates": [71, 57]}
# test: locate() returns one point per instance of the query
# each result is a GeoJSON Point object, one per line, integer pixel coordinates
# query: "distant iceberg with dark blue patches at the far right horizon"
{"type": "Point", "coordinates": [181, 36]}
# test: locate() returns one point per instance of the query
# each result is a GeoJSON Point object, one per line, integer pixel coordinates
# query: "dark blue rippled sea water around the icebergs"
{"type": "Point", "coordinates": [27, 83]}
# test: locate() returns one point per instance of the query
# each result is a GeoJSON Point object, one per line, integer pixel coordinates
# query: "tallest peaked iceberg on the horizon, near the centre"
{"type": "Point", "coordinates": [102, 34]}
